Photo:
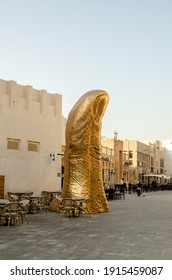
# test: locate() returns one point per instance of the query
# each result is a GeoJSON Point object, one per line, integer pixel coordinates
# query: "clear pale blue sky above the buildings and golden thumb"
{"type": "Point", "coordinates": [72, 46]}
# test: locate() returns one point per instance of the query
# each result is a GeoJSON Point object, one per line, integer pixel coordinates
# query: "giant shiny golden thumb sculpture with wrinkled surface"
{"type": "Point", "coordinates": [83, 174]}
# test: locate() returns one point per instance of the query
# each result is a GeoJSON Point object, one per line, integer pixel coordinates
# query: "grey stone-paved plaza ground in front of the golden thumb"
{"type": "Point", "coordinates": [137, 228]}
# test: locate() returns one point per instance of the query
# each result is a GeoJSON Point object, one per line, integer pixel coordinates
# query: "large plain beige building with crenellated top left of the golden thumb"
{"type": "Point", "coordinates": [32, 134]}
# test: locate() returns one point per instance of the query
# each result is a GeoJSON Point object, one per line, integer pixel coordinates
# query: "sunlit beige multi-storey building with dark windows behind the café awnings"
{"type": "Point", "coordinates": [144, 161]}
